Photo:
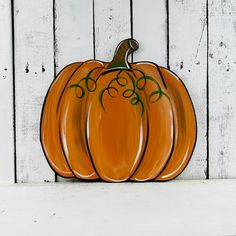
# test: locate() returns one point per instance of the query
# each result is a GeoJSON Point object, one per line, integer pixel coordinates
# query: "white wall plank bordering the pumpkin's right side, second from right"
{"type": "Point", "coordinates": [188, 59]}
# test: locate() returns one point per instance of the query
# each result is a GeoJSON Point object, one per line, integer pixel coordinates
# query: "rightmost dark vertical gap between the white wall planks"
{"type": "Point", "coordinates": [207, 97]}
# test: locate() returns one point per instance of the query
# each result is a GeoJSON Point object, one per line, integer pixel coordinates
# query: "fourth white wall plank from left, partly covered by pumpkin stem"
{"type": "Point", "coordinates": [112, 24]}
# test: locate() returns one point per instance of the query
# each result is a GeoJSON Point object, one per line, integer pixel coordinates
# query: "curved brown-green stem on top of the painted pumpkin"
{"type": "Point", "coordinates": [120, 59]}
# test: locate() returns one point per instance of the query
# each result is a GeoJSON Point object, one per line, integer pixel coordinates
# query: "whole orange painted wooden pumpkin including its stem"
{"type": "Point", "coordinates": [118, 121]}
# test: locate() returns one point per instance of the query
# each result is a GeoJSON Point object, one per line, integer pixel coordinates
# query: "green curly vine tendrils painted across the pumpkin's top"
{"type": "Point", "coordinates": [129, 93]}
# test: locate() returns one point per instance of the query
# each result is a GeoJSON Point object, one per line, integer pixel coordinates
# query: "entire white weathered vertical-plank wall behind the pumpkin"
{"type": "Point", "coordinates": [178, 34]}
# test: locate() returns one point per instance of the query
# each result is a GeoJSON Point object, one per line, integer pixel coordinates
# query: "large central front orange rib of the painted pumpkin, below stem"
{"type": "Point", "coordinates": [97, 148]}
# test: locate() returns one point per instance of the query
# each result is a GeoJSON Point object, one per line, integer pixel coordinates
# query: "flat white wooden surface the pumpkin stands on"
{"type": "Point", "coordinates": [205, 208]}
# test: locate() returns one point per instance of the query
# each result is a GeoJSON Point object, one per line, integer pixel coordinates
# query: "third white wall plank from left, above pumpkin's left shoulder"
{"type": "Point", "coordinates": [73, 34]}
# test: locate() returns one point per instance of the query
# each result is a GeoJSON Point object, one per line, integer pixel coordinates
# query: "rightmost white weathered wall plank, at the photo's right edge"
{"type": "Point", "coordinates": [222, 88]}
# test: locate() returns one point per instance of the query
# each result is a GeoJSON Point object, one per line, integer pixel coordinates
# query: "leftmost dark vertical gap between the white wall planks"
{"type": "Point", "coordinates": [14, 87]}
